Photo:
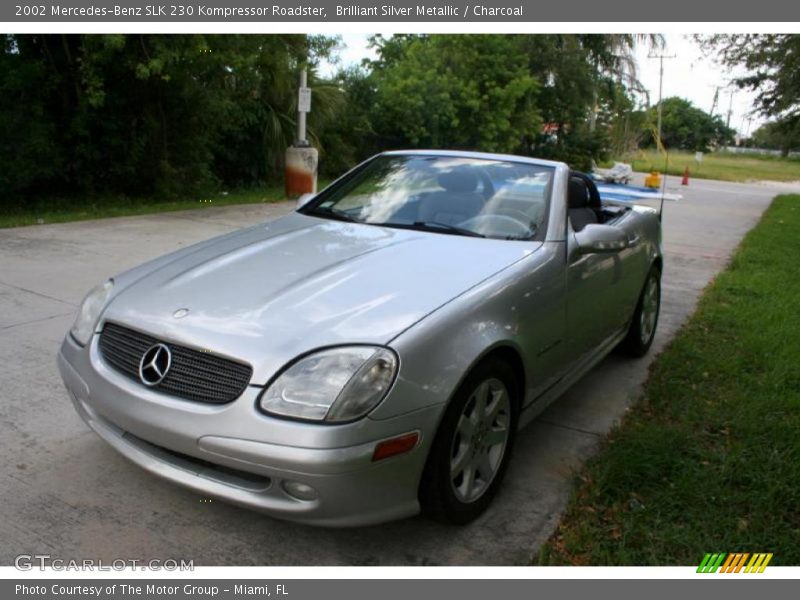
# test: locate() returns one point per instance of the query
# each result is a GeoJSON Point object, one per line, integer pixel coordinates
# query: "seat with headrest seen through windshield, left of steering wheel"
{"type": "Point", "coordinates": [459, 201]}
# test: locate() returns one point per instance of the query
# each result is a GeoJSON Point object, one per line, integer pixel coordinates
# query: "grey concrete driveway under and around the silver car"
{"type": "Point", "coordinates": [66, 493]}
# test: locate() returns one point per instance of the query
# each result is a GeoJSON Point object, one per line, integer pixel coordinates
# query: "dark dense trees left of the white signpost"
{"type": "Point", "coordinates": [151, 114]}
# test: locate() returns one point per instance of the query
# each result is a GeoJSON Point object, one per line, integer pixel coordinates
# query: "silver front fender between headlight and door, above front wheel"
{"type": "Point", "coordinates": [521, 308]}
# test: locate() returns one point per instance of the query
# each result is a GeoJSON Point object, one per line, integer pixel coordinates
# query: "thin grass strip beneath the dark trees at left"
{"type": "Point", "coordinates": [63, 210]}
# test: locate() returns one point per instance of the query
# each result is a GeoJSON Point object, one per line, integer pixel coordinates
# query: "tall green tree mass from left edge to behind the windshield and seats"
{"type": "Point", "coordinates": [162, 115]}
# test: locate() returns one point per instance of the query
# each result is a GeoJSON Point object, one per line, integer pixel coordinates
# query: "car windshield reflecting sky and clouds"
{"type": "Point", "coordinates": [442, 194]}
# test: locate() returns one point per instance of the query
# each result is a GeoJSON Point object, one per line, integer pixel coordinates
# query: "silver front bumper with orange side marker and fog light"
{"type": "Point", "coordinates": [235, 453]}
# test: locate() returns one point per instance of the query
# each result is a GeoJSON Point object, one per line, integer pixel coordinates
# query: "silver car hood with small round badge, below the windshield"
{"type": "Point", "coordinates": [269, 293]}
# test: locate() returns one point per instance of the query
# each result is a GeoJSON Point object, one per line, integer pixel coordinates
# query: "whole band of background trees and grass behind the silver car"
{"type": "Point", "coordinates": [103, 125]}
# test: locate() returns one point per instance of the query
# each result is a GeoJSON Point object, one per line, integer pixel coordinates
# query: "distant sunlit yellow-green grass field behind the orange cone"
{"type": "Point", "coordinates": [721, 166]}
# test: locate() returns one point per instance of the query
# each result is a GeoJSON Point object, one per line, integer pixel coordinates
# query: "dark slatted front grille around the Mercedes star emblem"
{"type": "Point", "coordinates": [193, 375]}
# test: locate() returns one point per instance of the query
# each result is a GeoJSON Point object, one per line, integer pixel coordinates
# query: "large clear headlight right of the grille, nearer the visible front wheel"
{"type": "Point", "coordinates": [340, 384]}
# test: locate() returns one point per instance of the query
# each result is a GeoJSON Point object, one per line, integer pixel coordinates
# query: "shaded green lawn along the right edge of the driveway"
{"type": "Point", "coordinates": [709, 459]}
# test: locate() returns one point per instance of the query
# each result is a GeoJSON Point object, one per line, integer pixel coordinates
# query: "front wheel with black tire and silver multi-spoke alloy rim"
{"type": "Point", "coordinates": [472, 448]}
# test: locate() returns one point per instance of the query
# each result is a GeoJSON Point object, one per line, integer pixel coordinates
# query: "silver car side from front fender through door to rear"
{"type": "Point", "coordinates": [526, 308]}
